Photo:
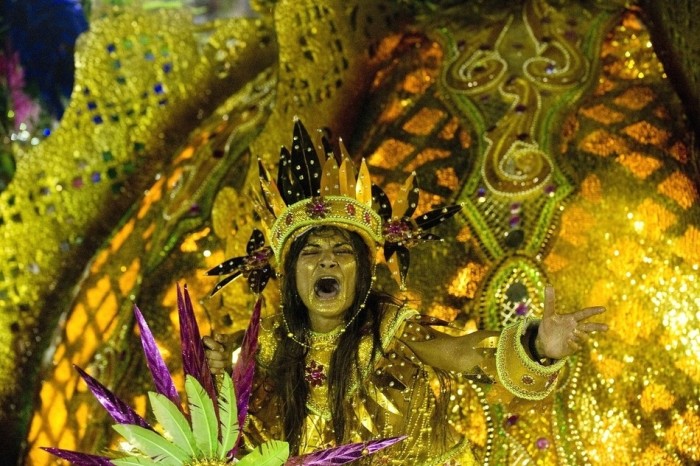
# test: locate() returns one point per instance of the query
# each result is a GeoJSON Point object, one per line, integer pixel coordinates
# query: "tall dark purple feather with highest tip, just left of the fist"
{"type": "Point", "coordinates": [194, 361]}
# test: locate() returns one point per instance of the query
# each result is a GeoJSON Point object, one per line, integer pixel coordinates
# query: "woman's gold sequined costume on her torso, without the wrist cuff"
{"type": "Point", "coordinates": [389, 395]}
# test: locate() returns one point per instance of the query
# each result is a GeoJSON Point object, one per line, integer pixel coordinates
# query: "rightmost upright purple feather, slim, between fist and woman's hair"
{"type": "Point", "coordinates": [245, 367]}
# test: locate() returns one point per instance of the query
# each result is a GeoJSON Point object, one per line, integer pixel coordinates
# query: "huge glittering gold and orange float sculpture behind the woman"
{"type": "Point", "coordinates": [554, 125]}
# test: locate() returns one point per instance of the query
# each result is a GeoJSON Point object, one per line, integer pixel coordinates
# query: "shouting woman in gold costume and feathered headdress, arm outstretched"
{"type": "Point", "coordinates": [343, 363]}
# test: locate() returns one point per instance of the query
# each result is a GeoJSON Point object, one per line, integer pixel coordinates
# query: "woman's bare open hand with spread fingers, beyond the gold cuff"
{"type": "Point", "coordinates": [561, 335]}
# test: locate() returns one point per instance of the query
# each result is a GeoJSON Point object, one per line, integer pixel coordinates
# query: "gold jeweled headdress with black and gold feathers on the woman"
{"type": "Point", "coordinates": [313, 191]}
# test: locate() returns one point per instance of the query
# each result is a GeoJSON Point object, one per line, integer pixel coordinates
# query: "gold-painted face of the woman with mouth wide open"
{"type": "Point", "coordinates": [326, 274]}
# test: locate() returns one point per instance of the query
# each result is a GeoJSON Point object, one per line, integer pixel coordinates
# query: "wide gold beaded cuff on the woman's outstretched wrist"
{"type": "Point", "coordinates": [517, 372]}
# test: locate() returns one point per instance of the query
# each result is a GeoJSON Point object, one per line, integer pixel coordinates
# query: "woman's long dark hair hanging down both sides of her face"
{"type": "Point", "coordinates": [289, 359]}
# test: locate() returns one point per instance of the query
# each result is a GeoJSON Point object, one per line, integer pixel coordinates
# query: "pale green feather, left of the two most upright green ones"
{"type": "Point", "coordinates": [204, 422]}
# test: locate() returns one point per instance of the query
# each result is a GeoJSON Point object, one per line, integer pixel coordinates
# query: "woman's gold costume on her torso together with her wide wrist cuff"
{"type": "Point", "coordinates": [392, 393]}
